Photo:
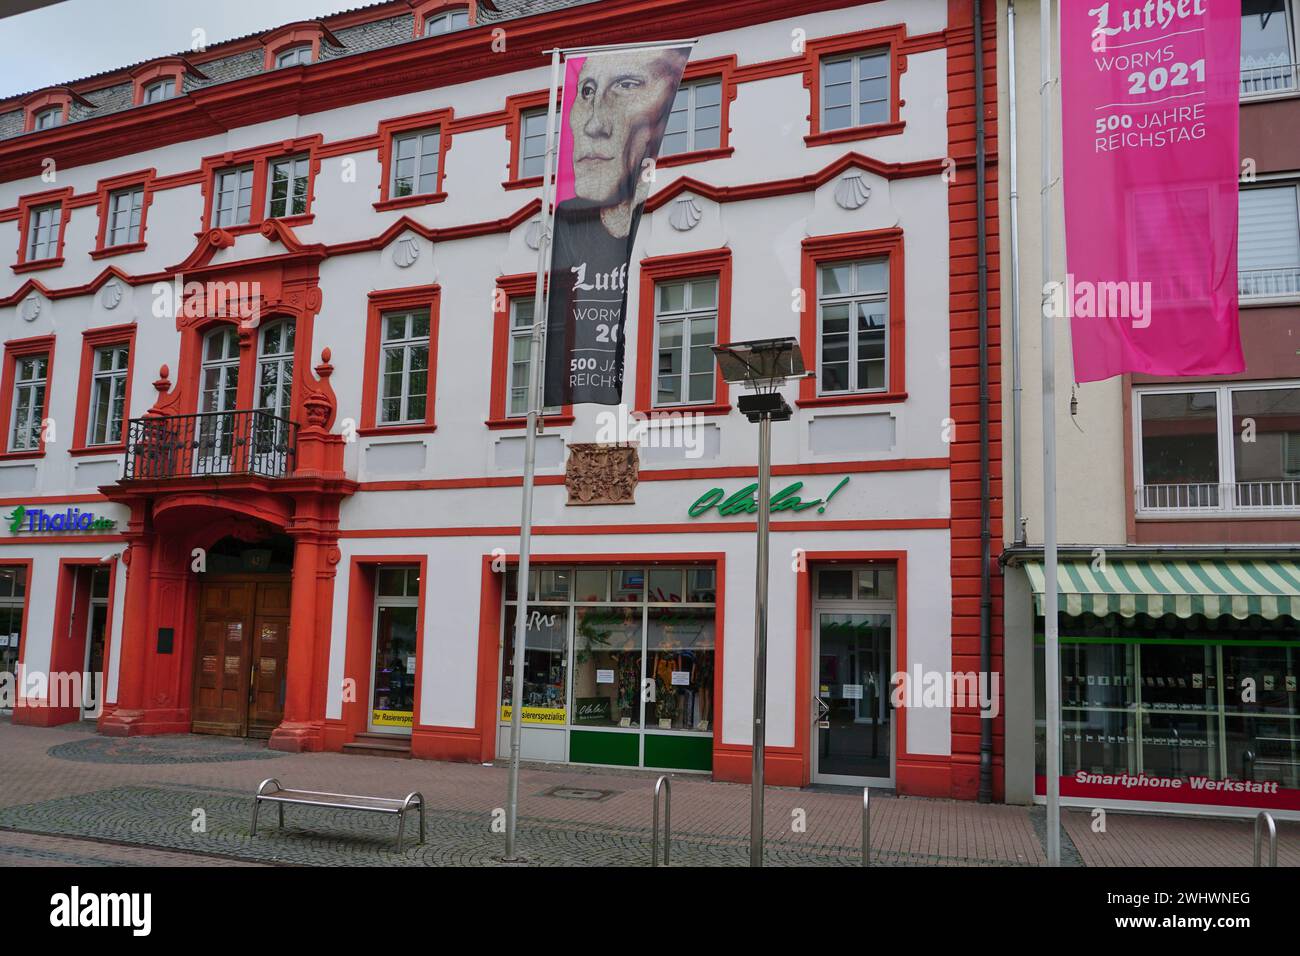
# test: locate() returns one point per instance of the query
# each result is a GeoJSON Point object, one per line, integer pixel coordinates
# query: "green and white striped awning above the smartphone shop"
{"type": "Point", "coordinates": [1214, 589]}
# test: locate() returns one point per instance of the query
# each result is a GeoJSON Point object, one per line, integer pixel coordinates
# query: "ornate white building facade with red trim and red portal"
{"type": "Point", "coordinates": [304, 527]}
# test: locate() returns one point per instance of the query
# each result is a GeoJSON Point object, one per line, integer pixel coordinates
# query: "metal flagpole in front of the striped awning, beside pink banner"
{"type": "Point", "coordinates": [1051, 652]}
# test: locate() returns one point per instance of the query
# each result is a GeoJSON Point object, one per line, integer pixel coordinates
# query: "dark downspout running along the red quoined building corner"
{"type": "Point", "coordinates": [986, 598]}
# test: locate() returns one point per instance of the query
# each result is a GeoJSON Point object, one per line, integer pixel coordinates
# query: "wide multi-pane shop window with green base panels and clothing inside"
{"type": "Point", "coordinates": [642, 643]}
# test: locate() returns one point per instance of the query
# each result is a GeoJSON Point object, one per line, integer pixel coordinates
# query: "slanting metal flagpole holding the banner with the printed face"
{"type": "Point", "coordinates": [535, 410]}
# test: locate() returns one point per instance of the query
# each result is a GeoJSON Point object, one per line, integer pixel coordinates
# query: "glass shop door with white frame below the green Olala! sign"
{"type": "Point", "coordinates": [855, 719]}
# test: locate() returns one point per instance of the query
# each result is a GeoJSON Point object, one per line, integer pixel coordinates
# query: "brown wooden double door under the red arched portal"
{"type": "Point", "coordinates": [241, 657]}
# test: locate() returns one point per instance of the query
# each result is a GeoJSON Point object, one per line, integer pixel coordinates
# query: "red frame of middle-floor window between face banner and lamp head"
{"type": "Point", "coordinates": [717, 263]}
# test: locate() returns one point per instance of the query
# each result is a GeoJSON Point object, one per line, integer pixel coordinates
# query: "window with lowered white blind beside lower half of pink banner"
{"type": "Point", "coordinates": [1268, 246]}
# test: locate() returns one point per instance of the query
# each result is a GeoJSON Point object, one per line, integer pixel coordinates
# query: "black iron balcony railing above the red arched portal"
{"type": "Point", "coordinates": [249, 443]}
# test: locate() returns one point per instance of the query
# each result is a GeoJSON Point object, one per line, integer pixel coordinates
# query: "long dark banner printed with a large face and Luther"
{"type": "Point", "coordinates": [616, 110]}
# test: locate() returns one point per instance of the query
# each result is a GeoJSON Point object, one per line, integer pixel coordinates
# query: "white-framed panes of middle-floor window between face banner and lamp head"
{"type": "Point", "coordinates": [686, 334]}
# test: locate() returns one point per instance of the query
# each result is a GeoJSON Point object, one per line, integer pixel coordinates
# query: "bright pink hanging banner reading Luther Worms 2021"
{"type": "Point", "coordinates": [1150, 135]}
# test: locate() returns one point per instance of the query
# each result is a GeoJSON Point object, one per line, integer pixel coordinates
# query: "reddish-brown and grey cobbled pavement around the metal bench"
{"type": "Point", "coordinates": [66, 784]}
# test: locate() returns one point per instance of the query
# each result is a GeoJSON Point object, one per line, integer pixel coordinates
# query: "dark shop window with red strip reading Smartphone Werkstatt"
{"type": "Point", "coordinates": [1202, 711]}
